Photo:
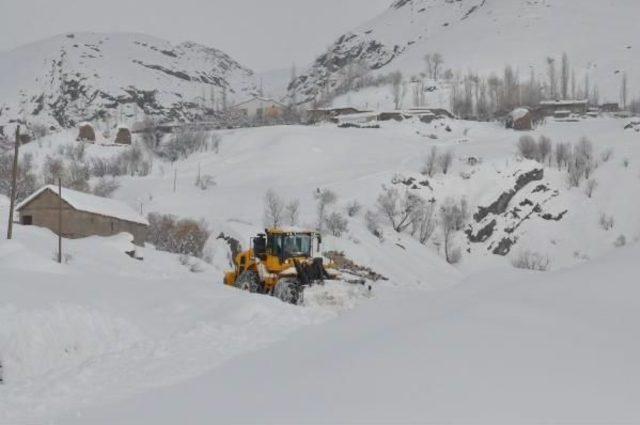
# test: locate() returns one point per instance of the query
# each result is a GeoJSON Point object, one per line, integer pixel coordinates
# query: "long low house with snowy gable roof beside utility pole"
{"type": "Point", "coordinates": [82, 215]}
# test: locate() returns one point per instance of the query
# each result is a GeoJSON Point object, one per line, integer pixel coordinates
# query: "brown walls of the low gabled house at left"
{"type": "Point", "coordinates": [78, 224]}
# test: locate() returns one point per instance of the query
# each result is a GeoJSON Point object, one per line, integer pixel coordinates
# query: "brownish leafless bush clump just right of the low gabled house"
{"type": "Point", "coordinates": [184, 236]}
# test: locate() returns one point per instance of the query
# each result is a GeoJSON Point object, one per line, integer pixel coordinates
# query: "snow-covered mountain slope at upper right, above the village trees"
{"type": "Point", "coordinates": [485, 35]}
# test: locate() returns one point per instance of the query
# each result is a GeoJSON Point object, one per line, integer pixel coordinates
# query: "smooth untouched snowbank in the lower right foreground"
{"type": "Point", "coordinates": [500, 348]}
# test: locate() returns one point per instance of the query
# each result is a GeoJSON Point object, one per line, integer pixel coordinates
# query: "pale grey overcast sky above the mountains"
{"type": "Point", "coordinates": [261, 34]}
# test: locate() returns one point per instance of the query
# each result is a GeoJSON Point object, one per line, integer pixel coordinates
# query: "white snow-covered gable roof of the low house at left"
{"type": "Point", "coordinates": [91, 204]}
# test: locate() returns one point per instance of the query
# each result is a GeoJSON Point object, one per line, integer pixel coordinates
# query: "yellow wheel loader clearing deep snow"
{"type": "Point", "coordinates": [281, 263]}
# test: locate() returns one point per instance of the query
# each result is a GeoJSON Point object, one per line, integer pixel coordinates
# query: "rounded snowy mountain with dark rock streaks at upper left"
{"type": "Point", "coordinates": [82, 76]}
